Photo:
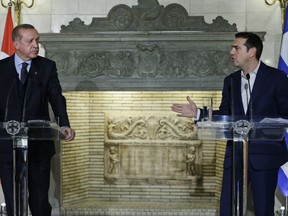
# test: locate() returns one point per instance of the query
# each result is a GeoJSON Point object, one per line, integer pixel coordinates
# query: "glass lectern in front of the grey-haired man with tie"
{"type": "Point", "coordinates": [20, 133]}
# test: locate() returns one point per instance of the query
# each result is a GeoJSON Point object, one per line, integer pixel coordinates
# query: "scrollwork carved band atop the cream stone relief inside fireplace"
{"type": "Point", "coordinates": [152, 128]}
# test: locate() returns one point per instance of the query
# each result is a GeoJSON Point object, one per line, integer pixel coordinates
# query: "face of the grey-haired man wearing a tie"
{"type": "Point", "coordinates": [28, 46]}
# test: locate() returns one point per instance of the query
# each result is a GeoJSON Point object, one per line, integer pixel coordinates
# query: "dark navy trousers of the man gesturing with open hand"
{"type": "Point", "coordinates": [263, 184]}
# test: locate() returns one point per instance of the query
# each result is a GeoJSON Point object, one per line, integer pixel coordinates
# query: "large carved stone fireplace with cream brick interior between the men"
{"type": "Point", "coordinates": [120, 74]}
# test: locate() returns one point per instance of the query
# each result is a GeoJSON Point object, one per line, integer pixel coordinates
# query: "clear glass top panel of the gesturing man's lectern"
{"type": "Point", "coordinates": [226, 127]}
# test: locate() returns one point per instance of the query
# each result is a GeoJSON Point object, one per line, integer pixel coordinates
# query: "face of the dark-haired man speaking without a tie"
{"type": "Point", "coordinates": [239, 54]}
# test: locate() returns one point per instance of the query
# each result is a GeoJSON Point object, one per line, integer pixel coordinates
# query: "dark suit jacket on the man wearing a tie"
{"type": "Point", "coordinates": [42, 88]}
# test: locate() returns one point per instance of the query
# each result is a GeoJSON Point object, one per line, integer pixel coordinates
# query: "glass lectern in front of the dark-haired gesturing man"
{"type": "Point", "coordinates": [240, 131]}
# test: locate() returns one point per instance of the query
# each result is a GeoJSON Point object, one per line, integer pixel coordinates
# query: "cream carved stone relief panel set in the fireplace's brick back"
{"type": "Point", "coordinates": [153, 149]}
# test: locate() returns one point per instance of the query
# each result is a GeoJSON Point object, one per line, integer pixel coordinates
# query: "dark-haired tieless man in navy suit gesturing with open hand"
{"type": "Point", "coordinates": [269, 95]}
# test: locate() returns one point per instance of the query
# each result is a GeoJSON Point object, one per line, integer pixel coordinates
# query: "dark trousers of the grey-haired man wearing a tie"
{"type": "Point", "coordinates": [38, 187]}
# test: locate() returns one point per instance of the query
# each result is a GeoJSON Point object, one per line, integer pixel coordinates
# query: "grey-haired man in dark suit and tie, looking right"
{"type": "Point", "coordinates": [27, 99]}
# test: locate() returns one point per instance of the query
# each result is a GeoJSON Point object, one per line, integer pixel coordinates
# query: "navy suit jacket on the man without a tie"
{"type": "Point", "coordinates": [270, 99]}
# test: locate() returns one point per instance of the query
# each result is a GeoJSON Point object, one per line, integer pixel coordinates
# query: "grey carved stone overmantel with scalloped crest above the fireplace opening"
{"type": "Point", "coordinates": [145, 47]}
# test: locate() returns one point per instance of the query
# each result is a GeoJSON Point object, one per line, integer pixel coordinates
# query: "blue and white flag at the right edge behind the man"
{"type": "Point", "coordinates": [283, 65]}
